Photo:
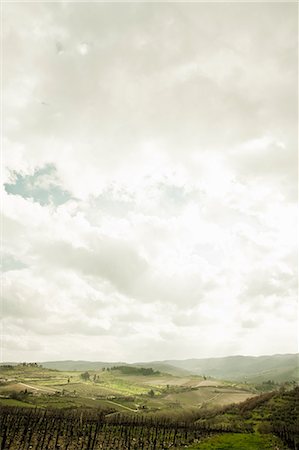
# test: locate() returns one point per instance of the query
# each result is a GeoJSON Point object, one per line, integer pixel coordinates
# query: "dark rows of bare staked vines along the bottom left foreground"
{"type": "Point", "coordinates": [24, 429]}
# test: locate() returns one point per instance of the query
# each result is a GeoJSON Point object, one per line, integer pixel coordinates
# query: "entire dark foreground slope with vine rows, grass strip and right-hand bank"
{"type": "Point", "coordinates": [268, 421]}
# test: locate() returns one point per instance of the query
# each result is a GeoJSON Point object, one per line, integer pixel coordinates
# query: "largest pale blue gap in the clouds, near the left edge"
{"type": "Point", "coordinates": [42, 187]}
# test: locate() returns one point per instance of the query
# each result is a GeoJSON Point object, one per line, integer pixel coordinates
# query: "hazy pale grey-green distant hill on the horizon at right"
{"type": "Point", "coordinates": [250, 368]}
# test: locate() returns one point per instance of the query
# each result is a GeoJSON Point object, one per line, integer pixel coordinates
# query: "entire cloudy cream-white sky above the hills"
{"type": "Point", "coordinates": [149, 190]}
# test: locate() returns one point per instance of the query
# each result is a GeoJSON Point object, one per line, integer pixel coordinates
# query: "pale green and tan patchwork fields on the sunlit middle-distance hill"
{"type": "Point", "coordinates": [36, 386]}
